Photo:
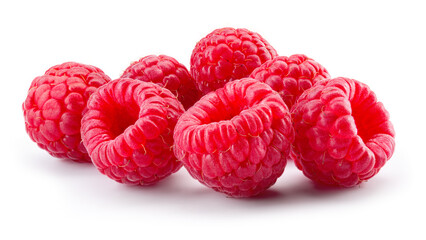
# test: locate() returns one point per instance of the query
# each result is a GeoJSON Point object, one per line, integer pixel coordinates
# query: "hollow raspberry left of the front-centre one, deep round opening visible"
{"type": "Point", "coordinates": [128, 131]}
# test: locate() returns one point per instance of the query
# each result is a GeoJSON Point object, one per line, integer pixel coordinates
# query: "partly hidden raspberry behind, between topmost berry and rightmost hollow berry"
{"type": "Point", "coordinates": [290, 76]}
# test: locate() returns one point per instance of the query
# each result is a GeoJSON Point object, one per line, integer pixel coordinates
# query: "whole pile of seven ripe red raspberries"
{"type": "Point", "coordinates": [232, 121]}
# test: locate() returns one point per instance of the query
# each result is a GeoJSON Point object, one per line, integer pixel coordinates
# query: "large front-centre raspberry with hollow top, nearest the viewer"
{"type": "Point", "coordinates": [236, 139]}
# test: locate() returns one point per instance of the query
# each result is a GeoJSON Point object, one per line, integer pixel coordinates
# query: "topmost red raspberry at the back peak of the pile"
{"type": "Point", "coordinates": [227, 54]}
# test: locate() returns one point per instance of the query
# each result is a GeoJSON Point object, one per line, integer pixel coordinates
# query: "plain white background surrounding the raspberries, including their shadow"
{"type": "Point", "coordinates": [381, 43]}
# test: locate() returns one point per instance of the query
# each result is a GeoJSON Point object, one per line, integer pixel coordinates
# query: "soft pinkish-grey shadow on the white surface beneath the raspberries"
{"type": "Point", "coordinates": [180, 192]}
